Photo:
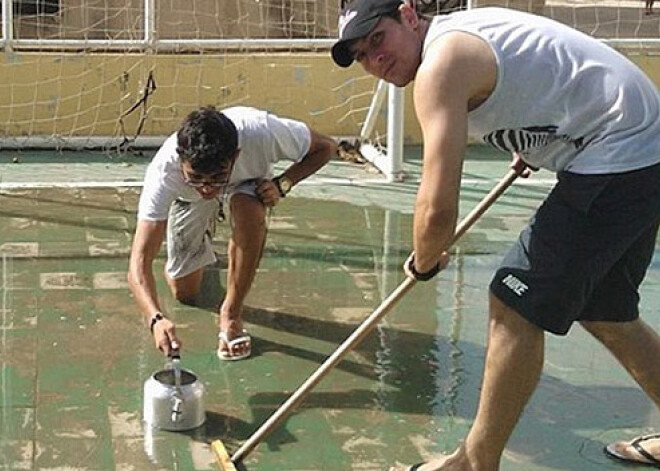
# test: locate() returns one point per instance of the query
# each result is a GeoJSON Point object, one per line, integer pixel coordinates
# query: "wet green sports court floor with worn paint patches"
{"type": "Point", "coordinates": [74, 354]}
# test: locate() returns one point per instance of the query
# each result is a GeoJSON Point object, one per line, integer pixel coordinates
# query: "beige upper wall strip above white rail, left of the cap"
{"type": "Point", "coordinates": [184, 19]}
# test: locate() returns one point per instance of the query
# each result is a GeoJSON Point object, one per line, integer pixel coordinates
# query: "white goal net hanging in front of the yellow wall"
{"type": "Point", "coordinates": [121, 73]}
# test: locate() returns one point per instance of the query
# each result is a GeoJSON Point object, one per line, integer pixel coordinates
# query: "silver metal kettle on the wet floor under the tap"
{"type": "Point", "coordinates": [173, 398]}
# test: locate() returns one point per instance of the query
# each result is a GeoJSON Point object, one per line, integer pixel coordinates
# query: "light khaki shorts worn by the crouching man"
{"type": "Point", "coordinates": [190, 230]}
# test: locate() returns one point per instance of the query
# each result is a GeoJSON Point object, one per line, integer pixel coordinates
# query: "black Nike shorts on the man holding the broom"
{"type": "Point", "coordinates": [585, 252]}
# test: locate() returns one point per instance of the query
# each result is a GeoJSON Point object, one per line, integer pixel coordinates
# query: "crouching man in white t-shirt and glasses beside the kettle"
{"type": "Point", "coordinates": [215, 158]}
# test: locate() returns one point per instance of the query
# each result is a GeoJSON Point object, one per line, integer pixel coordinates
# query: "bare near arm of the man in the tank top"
{"type": "Point", "coordinates": [457, 74]}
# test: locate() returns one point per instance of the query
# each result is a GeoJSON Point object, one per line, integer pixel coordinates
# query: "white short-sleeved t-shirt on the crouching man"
{"type": "Point", "coordinates": [263, 139]}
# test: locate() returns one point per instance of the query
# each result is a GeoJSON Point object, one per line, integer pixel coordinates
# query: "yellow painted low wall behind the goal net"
{"type": "Point", "coordinates": [85, 95]}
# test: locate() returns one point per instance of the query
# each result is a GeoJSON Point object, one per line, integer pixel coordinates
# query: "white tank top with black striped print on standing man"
{"type": "Point", "coordinates": [563, 99]}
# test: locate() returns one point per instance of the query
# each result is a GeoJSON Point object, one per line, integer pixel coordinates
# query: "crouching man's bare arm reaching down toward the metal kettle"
{"type": "Point", "coordinates": [146, 244]}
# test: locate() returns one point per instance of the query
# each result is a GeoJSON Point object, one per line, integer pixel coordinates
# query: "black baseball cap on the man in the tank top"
{"type": "Point", "coordinates": [356, 21]}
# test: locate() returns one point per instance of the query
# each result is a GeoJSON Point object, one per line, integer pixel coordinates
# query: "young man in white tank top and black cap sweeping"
{"type": "Point", "coordinates": [556, 99]}
